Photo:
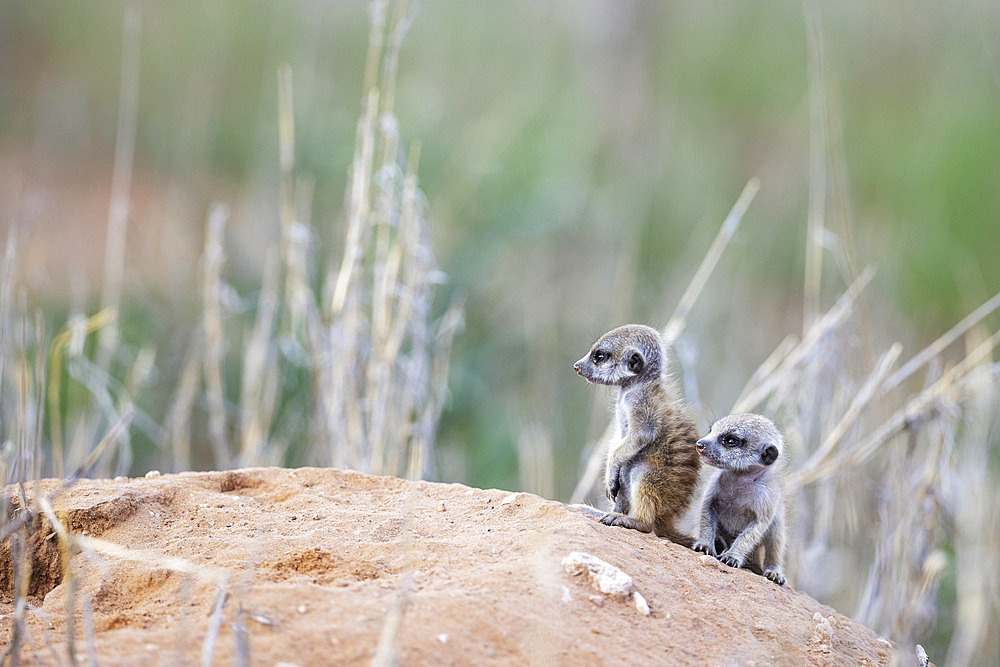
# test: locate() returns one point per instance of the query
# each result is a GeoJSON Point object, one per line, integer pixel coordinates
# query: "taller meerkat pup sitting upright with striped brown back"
{"type": "Point", "coordinates": [652, 467]}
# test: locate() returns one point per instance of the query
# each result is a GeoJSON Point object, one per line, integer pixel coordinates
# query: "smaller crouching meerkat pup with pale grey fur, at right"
{"type": "Point", "coordinates": [743, 509]}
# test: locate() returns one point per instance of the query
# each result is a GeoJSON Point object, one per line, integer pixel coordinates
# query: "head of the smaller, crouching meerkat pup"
{"type": "Point", "coordinates": [742, 443]}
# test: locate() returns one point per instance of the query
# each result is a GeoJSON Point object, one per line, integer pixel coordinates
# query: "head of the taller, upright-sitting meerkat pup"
{"type": "Point", "coordinates": [622, 356]}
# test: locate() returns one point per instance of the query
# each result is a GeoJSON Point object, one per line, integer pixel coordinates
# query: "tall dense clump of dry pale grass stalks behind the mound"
{"type": "Point", "coordinates": [378, 370]}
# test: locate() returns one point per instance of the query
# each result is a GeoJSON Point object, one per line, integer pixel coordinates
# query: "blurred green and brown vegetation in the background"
{"type": "Point", "coordinates": [576, 160]}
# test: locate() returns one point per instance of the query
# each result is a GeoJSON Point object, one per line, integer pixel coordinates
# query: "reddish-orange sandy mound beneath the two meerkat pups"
{"type": "Point", "coordinates": [313, 562]}
